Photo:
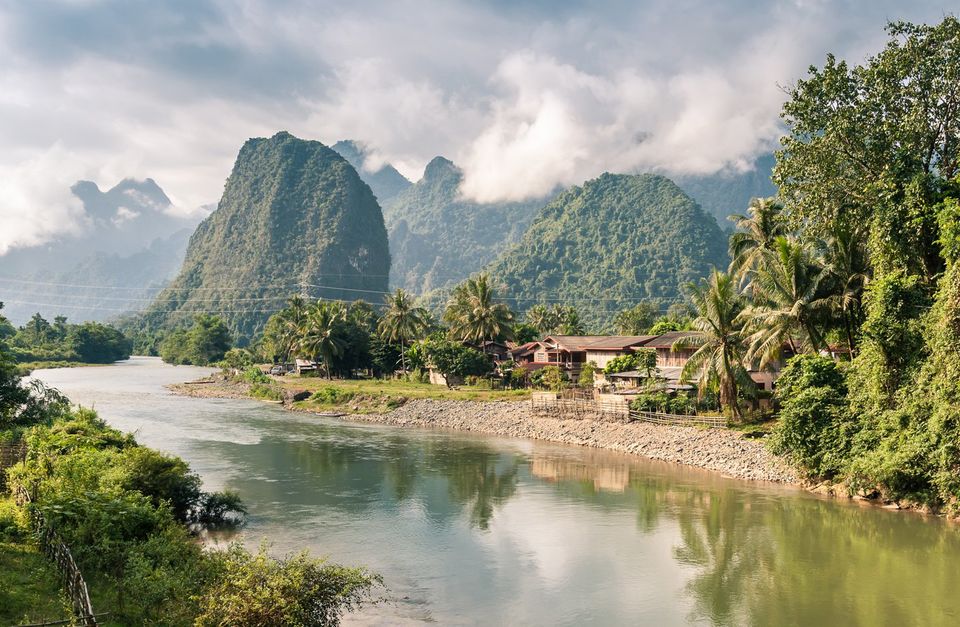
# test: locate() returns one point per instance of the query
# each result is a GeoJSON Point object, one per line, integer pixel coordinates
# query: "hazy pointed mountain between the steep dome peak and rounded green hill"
{"type": "Point", "coordinates": [437, 238]}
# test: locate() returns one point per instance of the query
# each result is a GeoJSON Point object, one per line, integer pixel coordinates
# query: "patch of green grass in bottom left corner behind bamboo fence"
{"type": "Point", "coordinates": [29, 588]}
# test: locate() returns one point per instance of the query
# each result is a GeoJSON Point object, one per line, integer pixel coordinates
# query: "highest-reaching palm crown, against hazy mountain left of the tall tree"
{"type": "Point", "coordinates": [754, 235]}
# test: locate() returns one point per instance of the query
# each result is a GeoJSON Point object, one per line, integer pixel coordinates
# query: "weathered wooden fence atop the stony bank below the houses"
{"type": "Point", "coordinates": [581, 404]}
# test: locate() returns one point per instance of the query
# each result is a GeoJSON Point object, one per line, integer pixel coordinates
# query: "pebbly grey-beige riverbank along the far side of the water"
{"type": "Point", "coordinates": [719, 450]}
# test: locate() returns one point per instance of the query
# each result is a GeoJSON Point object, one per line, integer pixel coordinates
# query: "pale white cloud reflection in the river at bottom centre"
{"type": "Point", "coordinates": [570, 562]}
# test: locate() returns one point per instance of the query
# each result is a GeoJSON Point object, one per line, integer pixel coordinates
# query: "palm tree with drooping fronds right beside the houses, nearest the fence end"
{"type": "Point", "coordinates": [719, 357]}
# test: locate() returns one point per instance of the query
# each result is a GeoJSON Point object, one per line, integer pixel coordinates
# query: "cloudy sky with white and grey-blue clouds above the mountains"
{"type": "Point", "coordinates": [524, 96]}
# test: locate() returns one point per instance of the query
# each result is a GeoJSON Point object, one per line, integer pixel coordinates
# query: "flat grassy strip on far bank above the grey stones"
{"type": "Point", "coordinates": [374, 395]}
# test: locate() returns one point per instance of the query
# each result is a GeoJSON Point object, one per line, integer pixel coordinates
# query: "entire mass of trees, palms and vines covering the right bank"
{"type": "Point", "coordinates": [859, 255]}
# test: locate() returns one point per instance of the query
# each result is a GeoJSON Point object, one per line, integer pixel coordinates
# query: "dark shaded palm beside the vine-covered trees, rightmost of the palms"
{"type": "Point", "coordinates": [847, 269]}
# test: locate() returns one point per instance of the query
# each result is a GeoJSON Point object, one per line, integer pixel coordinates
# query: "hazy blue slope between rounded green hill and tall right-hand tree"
{"type": "Point", "coordinates": [726, 193]}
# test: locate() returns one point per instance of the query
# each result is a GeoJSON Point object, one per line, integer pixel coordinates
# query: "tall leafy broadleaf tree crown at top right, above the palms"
{"type": "Point", "coordinates": [875, 144]}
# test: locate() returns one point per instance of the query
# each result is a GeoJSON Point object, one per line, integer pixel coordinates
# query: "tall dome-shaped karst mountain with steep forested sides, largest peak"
{"type": "Point", "coordinates": [294, 216]}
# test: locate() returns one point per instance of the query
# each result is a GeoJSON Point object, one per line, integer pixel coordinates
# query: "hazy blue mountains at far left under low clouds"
{"type": "Point", "coordinates": [130, 245]}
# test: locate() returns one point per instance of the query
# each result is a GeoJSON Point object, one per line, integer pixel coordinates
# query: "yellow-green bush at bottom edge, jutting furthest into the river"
{"type": "Point", "coordinates": [259, 591]}
